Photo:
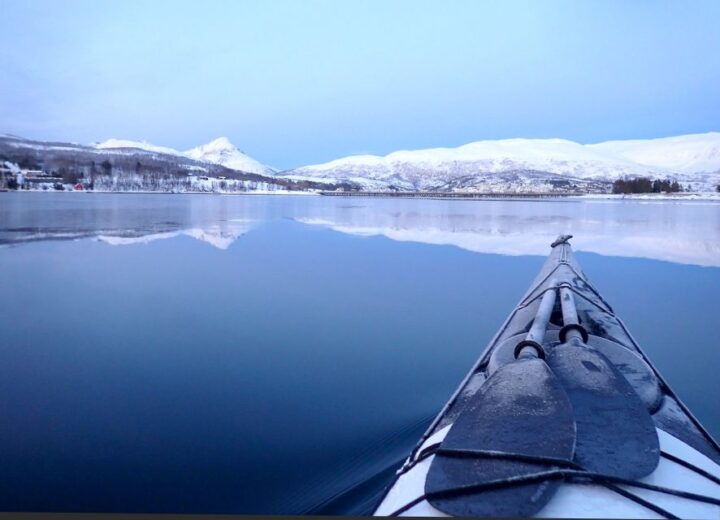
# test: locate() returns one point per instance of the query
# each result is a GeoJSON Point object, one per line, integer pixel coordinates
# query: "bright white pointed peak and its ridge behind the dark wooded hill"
{"type": "Point", "coordinates": [220, 151]}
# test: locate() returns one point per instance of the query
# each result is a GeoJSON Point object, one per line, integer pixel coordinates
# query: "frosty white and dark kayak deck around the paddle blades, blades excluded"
{"type": "Point", "coordinates": [685, 481]}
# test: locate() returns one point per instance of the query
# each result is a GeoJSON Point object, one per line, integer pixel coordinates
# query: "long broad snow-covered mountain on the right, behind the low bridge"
{"type": "Point", "coordinates": [531, 163]}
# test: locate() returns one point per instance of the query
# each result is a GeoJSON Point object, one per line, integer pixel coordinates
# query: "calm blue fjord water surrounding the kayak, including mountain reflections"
{"type": "Point", "coordinates": [253, 354]}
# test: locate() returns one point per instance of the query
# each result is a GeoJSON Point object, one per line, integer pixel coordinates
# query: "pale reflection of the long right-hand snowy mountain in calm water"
{"type": "Point", "coordinates": [513, 235]}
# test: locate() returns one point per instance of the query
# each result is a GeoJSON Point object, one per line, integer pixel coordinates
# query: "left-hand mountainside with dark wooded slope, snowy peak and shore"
{"type": "Point", "coordinates": [120, 165]}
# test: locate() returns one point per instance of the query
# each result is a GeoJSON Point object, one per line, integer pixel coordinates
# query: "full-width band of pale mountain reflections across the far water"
{"type": "Point", "coordinates": [681, 232]}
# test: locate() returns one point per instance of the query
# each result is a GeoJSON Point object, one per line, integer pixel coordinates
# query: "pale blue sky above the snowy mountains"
{"type": "Point", "coordinates": [297, 82]}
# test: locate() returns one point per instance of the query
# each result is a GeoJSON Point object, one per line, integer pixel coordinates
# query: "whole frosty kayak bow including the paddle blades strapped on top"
{"type": "Point", "coordinates": [563, 415]}
